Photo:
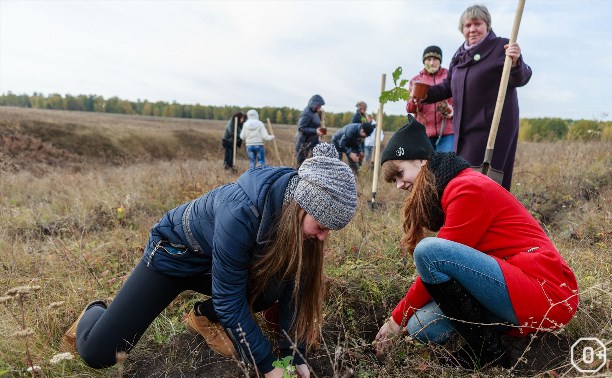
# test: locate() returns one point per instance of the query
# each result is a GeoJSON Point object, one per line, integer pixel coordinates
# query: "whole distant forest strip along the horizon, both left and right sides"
{"type": "Point", "coordinates": [531, 129]}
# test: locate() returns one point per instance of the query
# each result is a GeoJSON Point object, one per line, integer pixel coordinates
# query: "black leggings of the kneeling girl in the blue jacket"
{"type": "Point", "coordinates": [101, 333]}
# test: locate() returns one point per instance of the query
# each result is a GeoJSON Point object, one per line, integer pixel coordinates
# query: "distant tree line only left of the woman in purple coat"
{"type": "Point", "coordinates": [95, 103]}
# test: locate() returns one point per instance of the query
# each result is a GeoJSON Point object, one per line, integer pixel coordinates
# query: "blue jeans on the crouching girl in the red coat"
{"type": "Point", "coordinates": [439, 260]}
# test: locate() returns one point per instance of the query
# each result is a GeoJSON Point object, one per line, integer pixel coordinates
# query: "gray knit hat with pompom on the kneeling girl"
{"type": "Point", "coordinates": [327, 188]}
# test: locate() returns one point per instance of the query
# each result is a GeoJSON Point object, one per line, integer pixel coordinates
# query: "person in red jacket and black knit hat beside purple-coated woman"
{"type": "Point", "coordinates": [437, 117]}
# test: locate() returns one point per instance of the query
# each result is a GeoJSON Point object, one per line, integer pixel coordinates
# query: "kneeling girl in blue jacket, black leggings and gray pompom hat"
{"type": "Point", "coordinates": [247, 245]}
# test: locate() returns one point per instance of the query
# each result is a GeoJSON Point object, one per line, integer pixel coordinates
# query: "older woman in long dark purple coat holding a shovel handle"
{"type": "Point", "coordinates": [473, 82]}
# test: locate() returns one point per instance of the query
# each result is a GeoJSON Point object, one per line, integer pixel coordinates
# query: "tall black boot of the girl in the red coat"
{"type": "Point", "coordinates": [483, 345]}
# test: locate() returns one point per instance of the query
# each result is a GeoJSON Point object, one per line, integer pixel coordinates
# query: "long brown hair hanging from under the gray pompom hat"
{"type": "Point", "coordinates": [291, 257]}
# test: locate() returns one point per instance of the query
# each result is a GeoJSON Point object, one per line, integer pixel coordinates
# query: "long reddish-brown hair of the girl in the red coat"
{"type": "Point", "coordinates": [421, 206]}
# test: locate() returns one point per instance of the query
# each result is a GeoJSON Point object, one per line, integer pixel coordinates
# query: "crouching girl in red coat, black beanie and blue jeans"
{"type": "Point", "coordinates": [491, 262]}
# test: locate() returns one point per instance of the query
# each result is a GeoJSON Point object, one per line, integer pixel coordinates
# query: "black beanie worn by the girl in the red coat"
{"type": "Point", "coordinates": [409, 143]}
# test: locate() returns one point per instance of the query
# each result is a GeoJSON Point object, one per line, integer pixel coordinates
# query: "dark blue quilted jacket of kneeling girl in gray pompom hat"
{"type": "Point", "coordinates": [222, 232]}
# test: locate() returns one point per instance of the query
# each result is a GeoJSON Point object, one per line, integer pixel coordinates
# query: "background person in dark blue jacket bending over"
{"type": "Point", "coordinates": [349, 140]}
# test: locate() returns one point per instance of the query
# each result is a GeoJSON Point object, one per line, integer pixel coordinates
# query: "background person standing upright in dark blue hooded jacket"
{"type": "Point", "coordinates": [309, 129]}
